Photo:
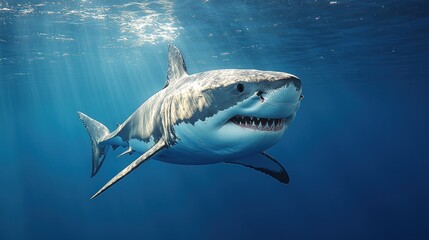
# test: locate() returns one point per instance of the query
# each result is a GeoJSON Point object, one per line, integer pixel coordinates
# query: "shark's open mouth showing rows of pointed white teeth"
{"type": "Point", "coordinates": [261, 124]}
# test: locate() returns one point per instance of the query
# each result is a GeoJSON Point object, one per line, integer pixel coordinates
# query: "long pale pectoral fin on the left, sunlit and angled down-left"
{"type": "Point", "coordinates": [147, 155]}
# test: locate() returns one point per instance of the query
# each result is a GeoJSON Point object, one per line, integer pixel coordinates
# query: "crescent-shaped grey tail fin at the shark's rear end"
{"type": "Point", "coordinates": [97, 131]}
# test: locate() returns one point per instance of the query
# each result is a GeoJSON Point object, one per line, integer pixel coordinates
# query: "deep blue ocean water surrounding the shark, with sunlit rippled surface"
{"type": "Point", "coordinates": [357, 152]}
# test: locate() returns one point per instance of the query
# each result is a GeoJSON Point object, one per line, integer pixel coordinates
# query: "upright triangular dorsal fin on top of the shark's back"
{"type": "Point", "coordinates": [176, 65]}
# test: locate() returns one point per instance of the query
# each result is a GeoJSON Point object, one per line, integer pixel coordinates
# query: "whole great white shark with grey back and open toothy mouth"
{"type": "Point", "coordinates": [228, 115]}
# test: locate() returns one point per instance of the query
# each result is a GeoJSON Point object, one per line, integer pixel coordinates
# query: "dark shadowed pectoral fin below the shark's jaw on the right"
{"type": "Point", "coordinates": [266, 164]}
